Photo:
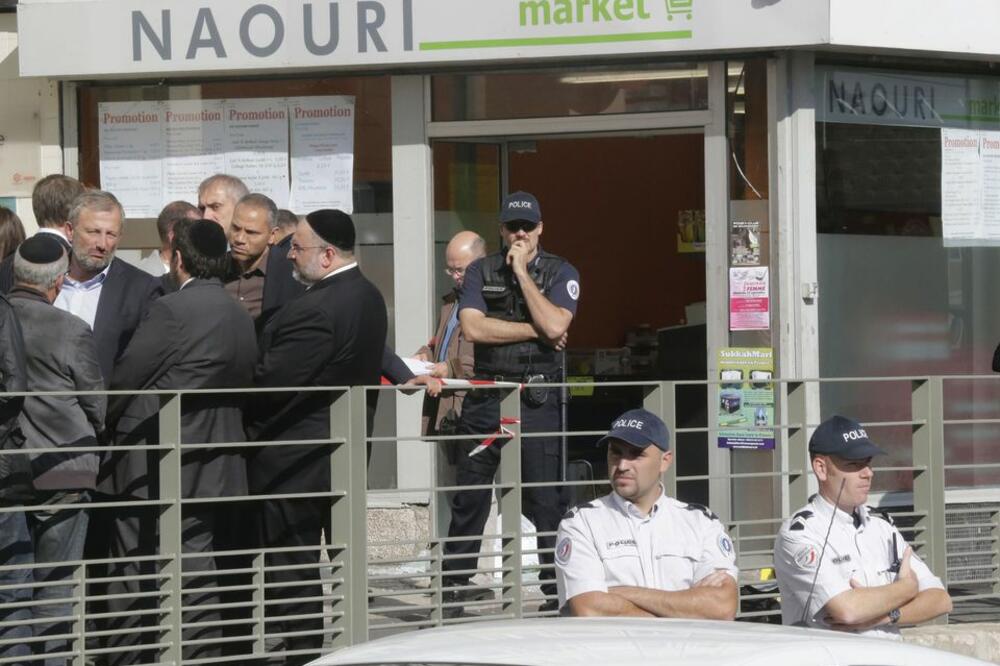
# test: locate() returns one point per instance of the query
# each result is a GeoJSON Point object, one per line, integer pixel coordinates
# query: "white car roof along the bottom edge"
{"type": "Point", "coordinates": [637, 642]}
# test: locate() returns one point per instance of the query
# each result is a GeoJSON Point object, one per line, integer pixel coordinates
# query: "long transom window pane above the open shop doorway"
{"type": "Point", "coordinates": [535, 94]}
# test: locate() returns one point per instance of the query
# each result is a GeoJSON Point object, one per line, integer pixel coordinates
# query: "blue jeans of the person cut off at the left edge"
{"type": "Point", "coordinates": [15, 550]}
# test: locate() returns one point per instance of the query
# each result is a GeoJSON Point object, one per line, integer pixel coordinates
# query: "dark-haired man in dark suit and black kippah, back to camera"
{"type": "Point", "coordinates": [194, 338]}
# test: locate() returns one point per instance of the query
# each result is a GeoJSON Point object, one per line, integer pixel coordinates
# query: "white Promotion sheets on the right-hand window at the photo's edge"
{"type": "Point", "coordinates": [970, 187]}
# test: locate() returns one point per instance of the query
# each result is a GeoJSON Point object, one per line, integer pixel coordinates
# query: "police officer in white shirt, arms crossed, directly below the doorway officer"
{"type": "Point", "coordinates": [637, 552]}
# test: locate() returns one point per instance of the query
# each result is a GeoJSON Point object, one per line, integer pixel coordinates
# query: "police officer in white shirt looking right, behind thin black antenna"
{"type": "Point", "coordinates": [869, 581]}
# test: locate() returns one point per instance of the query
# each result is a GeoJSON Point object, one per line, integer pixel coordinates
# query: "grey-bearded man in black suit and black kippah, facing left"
{"type": "Point", "coordinates": [332, 335]}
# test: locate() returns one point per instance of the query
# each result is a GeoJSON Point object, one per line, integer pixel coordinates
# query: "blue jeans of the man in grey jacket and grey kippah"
{"type": "Point", "coordinates": [58, 536]}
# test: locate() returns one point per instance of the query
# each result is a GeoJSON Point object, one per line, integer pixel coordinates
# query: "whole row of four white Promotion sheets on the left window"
{"type": "Point", "coordinates": [299, 152]}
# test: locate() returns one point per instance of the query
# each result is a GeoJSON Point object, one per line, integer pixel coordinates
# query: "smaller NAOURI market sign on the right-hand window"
{"type": "Point", "coordinates": [870, 97]}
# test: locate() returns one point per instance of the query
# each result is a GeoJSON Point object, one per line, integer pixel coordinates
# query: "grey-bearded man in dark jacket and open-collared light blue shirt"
{"type": "Point", "coordinates": [107, 293]}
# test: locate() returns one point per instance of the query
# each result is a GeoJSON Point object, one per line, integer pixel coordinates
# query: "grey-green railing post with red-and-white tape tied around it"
{"type": "Point", "coordinates": [510, 503]}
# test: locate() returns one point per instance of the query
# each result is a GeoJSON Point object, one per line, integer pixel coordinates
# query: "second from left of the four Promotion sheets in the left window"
{"type": "Point", "coordinates": [194, 146]}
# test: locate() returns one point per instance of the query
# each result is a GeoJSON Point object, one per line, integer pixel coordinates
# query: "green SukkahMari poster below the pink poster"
{"type": "Point", "coordinates": [746, 398]}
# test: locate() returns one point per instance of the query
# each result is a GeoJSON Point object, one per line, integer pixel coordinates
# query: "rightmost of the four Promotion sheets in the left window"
{"type": "Point", "coordinates": [322, 130]}
